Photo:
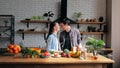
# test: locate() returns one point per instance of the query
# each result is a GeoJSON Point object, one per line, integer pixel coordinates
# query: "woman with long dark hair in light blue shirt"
{"type": "Point", "coordinates": [52, 40]}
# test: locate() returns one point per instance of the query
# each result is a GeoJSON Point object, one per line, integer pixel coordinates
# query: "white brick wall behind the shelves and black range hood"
{"type": "Point", "coordinates": [26, 8]}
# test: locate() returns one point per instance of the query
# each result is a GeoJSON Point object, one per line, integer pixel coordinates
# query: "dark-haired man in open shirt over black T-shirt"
{"type": "Point", "coordinates": [69, 37]}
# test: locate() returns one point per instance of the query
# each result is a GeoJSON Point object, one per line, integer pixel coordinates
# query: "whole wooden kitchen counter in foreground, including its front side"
{"type": "Point", "coordinates": [14, 62]}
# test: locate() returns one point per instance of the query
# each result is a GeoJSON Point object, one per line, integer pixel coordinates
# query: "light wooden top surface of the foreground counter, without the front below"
{"type": "Point", "coordinates": [13, 60]}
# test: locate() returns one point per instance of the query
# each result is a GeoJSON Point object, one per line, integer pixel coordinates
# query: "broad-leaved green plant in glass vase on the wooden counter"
{"type": "Point", "coordinates": [95, 45]}
